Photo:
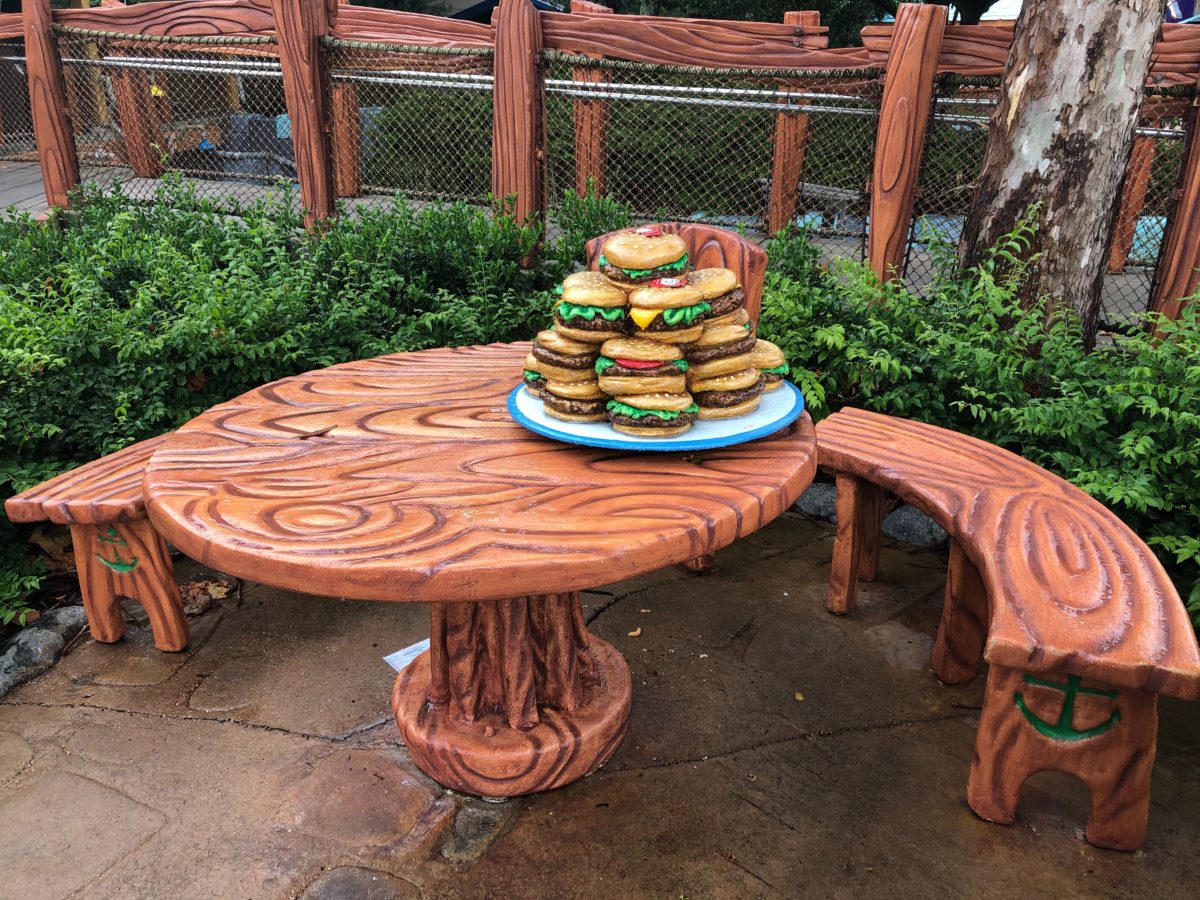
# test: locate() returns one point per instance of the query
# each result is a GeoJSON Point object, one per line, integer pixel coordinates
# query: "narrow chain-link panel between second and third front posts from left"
{"type": "Point", "coordinates": [411, 121]}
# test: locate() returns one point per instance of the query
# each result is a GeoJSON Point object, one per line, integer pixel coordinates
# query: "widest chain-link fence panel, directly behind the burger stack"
{"type": "Point", "coordinates": [695, 145]}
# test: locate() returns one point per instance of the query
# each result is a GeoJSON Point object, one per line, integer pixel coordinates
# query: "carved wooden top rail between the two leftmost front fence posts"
{"type": "Point", "coordinates": [194, 19]}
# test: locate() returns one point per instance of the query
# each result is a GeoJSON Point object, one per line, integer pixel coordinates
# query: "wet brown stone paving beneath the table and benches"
{"type": "Point", "coordinates": [773, 752]}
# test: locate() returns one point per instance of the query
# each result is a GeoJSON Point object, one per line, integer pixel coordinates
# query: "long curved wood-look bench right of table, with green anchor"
{"type": "Point", "coordinates": [1079, 622]}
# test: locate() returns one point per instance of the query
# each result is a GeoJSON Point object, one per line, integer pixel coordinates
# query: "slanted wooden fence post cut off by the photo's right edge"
{"type": "Point", "coordinates": [1178, 278]}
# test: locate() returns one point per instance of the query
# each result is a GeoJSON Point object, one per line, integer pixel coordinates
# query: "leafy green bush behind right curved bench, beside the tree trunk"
{"type": "Point", "coordinates": [1121, 423]}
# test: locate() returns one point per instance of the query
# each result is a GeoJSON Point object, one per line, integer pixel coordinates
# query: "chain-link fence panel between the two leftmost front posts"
{"type": "Point", "coordinates": [208, 109]}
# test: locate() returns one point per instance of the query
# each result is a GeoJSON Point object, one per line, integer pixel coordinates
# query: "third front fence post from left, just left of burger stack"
{"type": "Point", "coordinates": [517, 109]}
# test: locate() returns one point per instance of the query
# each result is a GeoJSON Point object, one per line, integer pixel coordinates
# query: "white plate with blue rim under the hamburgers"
{"type": "Point", "coordinates": [778, 409]}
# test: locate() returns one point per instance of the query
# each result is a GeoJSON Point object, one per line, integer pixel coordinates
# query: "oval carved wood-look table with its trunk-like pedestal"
{"type": "Point", "coordinates": [404, 479]}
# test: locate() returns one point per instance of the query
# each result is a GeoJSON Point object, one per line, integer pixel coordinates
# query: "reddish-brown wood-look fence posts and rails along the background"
{"type": "Point", "coordinates": [905, 63]}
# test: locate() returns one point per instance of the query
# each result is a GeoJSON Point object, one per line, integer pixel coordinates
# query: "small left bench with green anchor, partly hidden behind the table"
{"type": "Point", "coordinates": [117, 550]}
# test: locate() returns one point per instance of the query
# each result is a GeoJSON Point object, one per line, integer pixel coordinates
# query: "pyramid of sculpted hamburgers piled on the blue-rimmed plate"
{"type": "Point", "coordinates": [651, 346]}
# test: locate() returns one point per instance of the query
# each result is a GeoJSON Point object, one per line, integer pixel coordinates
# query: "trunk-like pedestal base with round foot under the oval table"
{"type": "Point", "coordinates": [513, 698]}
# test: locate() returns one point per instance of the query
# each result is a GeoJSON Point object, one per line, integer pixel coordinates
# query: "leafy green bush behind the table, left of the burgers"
{"type": "Point", "coordinates": [122, 321]}
